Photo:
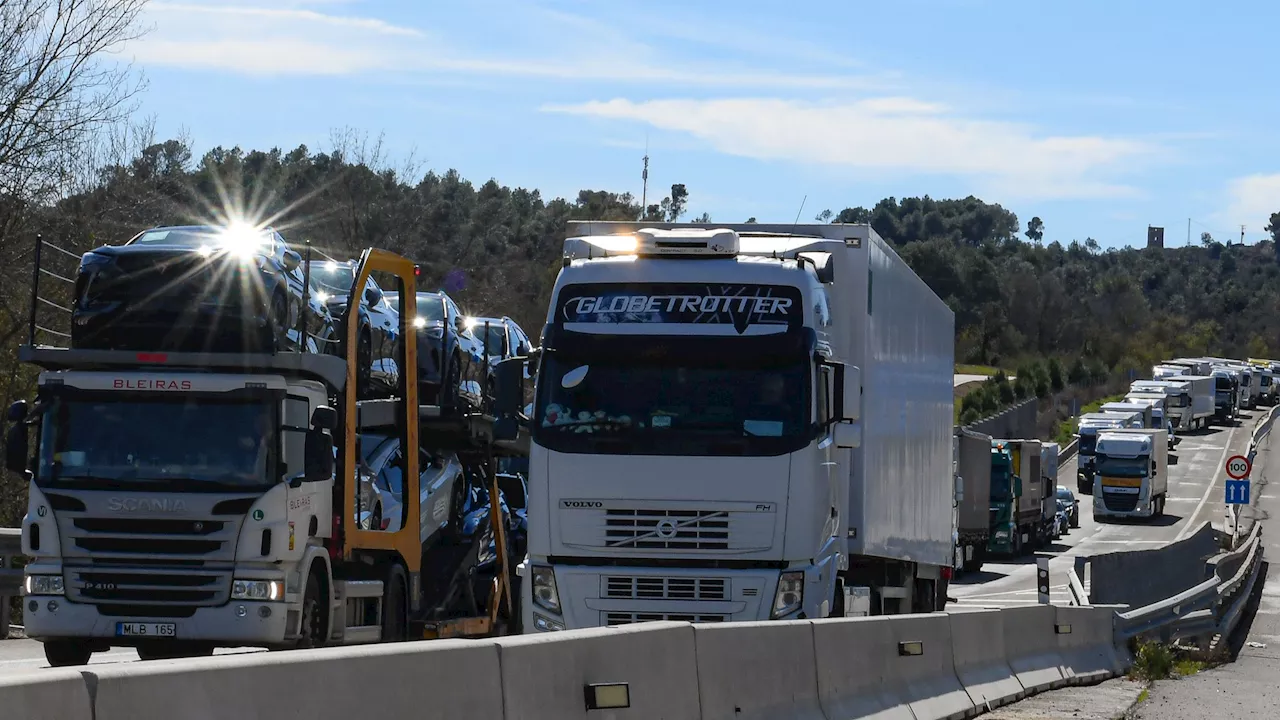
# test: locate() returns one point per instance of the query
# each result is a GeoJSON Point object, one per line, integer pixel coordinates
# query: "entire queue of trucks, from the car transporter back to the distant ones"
{"type": "Point", "coordinates": [726, 423]}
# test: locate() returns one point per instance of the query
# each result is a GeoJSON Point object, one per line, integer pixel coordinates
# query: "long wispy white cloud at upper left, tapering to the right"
{"type": "Point", "coordinates": [296, 39]}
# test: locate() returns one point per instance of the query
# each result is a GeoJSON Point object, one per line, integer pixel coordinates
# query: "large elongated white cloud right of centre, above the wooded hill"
{"type": "Point", "coordinates": [899, 135]}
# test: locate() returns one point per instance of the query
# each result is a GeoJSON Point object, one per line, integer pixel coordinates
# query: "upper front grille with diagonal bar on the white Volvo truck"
{"type": "Point", "coordinates": [668, 530]}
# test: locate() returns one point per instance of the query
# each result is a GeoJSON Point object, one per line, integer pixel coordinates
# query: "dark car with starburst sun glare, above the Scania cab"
{"type": "Point", "coordinates": [211, 289]}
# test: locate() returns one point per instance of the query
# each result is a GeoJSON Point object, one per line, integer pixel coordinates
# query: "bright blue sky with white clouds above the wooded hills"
{"type": "Point", "coordinates": [1099, 117]}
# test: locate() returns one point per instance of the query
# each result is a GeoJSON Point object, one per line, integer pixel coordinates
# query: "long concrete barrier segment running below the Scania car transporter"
{"type": "Point", "coordinates": [455, 680]}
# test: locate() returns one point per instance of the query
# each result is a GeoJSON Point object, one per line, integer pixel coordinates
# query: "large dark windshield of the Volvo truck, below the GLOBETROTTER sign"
{"type": "Point", "coordinates": [679, 404]}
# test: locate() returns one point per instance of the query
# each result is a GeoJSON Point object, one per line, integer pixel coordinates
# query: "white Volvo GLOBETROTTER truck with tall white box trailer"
{"type": "Point", "coordinates": [739, 423]}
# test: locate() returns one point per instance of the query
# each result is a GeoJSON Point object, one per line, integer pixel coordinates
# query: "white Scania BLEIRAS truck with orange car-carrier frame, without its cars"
{"type": "Point", "coordinates": [180, 503]}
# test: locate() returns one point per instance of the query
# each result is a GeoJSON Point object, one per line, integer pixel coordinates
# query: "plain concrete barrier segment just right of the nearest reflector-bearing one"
{"type": "Point", "coordinates": [757, 672]}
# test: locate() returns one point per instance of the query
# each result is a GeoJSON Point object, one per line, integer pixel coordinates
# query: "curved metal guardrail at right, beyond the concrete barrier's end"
{"type": "Point", "coordinates": [1209, 609]}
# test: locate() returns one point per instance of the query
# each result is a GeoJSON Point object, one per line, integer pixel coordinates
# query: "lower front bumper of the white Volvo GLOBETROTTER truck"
{"type": "Point", "coordinates": [602, 596]}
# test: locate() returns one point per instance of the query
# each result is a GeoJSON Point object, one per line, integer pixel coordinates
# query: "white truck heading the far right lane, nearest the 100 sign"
{"type": "Point", "coordinates": [1133, 473]}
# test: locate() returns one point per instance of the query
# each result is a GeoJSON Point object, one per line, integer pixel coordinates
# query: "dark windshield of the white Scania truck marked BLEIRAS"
{"type": "Point", "coordinates": [199, 444]}
